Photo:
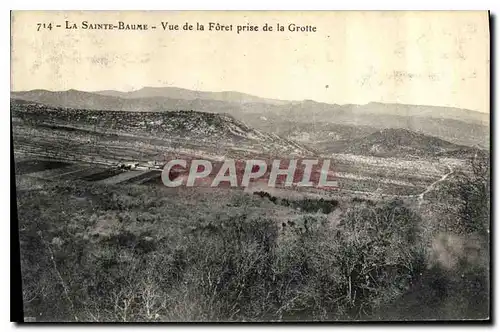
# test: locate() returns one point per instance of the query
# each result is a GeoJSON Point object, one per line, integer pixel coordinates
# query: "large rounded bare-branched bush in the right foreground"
{"type": "Point", "coordinates": [380, 255]}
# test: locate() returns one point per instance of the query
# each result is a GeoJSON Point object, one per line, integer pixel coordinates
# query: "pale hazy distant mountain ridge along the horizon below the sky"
{"type": "Point", "coordinates": [459, 126]}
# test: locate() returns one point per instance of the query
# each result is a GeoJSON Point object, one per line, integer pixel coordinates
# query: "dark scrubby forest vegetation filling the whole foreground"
{"type": "Point", "coordinates": [134, 253]}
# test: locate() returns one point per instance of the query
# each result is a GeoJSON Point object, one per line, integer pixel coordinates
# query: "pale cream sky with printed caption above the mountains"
{"type": "Point", "coordinates": [426, 58]}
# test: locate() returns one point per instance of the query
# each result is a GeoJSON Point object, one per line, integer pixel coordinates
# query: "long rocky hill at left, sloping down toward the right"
{"type": "Point", "coordinates": [219, 134]}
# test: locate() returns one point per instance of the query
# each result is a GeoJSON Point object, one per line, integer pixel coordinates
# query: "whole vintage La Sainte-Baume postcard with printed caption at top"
{"type": "Point", "coordinates": [252, 166]}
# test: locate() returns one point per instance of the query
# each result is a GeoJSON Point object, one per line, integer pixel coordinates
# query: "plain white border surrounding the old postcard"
{"type": "Point", "coordinates": [492, 5]}
